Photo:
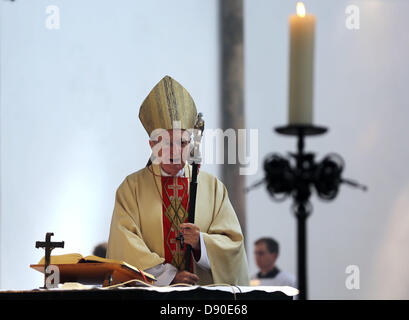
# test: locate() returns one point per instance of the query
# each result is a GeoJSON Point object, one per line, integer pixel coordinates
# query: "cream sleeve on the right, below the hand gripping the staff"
{"type": "Point", "coordinates": [224, 242]}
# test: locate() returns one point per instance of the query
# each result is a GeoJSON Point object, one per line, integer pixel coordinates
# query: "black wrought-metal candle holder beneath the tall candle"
{"type": "Point", "coordinates": [296, 176]}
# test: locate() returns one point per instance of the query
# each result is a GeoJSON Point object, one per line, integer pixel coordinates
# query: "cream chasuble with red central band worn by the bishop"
{"type": "Point", "coordinates": [148, 211]}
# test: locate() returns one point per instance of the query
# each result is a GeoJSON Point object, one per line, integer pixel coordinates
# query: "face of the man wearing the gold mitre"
{"type": "Point", "coordinates": [171, 149]}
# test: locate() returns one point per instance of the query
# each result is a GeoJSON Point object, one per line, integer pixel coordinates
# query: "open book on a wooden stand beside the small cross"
{"type": "Point", "coordinates": [94, 269]}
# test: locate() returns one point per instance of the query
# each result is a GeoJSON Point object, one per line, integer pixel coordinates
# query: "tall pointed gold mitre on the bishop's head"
{"type": "Point", "coordinates": [168, 103]}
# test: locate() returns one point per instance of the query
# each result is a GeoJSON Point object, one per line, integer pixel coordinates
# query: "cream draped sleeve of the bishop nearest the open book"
{"type": "Point", "coordinates": [125, 239]}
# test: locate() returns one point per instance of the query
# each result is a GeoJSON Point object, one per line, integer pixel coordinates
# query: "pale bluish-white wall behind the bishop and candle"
{"type": "Point", "coordinates": [70, 133]}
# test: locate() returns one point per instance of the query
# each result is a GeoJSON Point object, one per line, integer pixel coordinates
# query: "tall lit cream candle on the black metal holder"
{"type": "Point", "coordinates": [302, 31]}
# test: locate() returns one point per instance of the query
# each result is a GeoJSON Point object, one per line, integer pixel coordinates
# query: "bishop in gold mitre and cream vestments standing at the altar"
{"type": "Point", "coordinates": [151, 204]}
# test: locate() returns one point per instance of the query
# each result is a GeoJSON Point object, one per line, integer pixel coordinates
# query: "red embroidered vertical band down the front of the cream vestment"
{"type": "Point", "coordinates": [175, 194]}
